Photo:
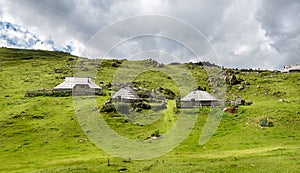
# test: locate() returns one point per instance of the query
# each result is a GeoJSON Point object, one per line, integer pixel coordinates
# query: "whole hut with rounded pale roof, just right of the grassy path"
{"type": "Point", "coordinates": [198, 98]}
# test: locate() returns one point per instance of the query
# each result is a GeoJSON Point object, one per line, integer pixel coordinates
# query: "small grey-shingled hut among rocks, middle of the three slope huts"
{"type": "Point", "coordinates": [125, 94]}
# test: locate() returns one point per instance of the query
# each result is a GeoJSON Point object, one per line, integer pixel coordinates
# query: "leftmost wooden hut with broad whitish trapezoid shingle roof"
{"type": "Point", "coordinates": [78, 86]}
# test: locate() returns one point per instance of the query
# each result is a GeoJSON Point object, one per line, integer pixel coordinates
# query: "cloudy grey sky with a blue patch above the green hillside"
{"type": "Point", "coordinates": [242, 33]}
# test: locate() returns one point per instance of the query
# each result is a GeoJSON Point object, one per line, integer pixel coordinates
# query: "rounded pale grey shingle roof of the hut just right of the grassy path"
{"type": "Point", "coordinates": [199, 95]}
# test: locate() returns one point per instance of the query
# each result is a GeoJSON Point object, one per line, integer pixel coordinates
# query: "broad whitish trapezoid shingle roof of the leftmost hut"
{"type": "Point", "coordinates": [70, 82]}
